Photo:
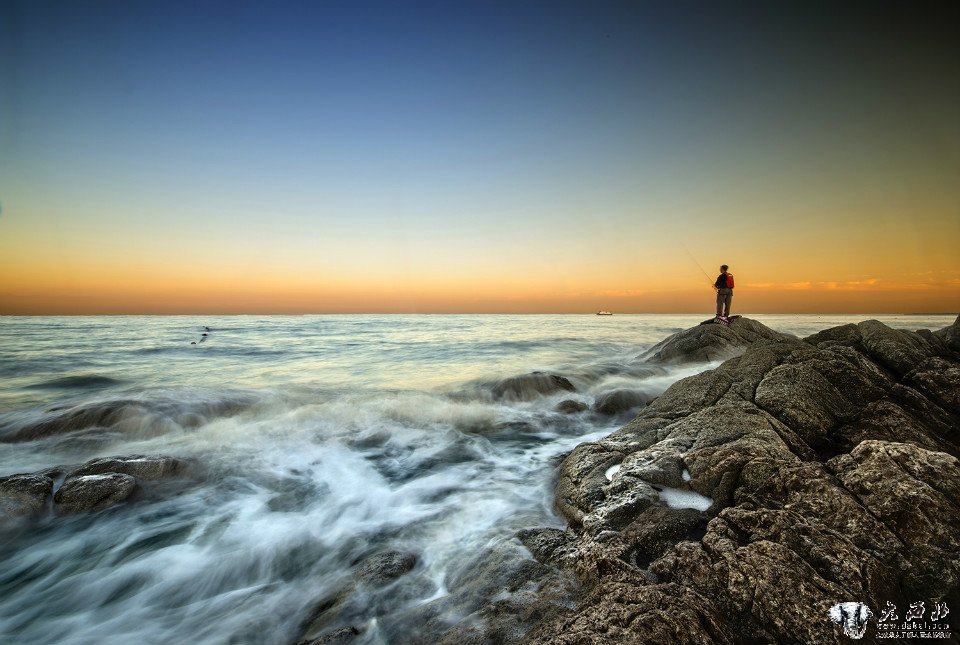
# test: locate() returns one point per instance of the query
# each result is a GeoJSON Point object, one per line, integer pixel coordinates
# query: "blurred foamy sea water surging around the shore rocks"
{"type": "Point", "coordinates": [322, 440]}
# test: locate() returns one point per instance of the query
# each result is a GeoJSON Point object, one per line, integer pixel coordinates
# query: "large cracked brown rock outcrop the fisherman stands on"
{"type": "Point", "coordinates": [831, 467]}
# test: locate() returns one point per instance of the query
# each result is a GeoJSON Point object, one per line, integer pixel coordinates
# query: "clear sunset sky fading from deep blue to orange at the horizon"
{"type": "Point", "coordinates": [516, 157]}
